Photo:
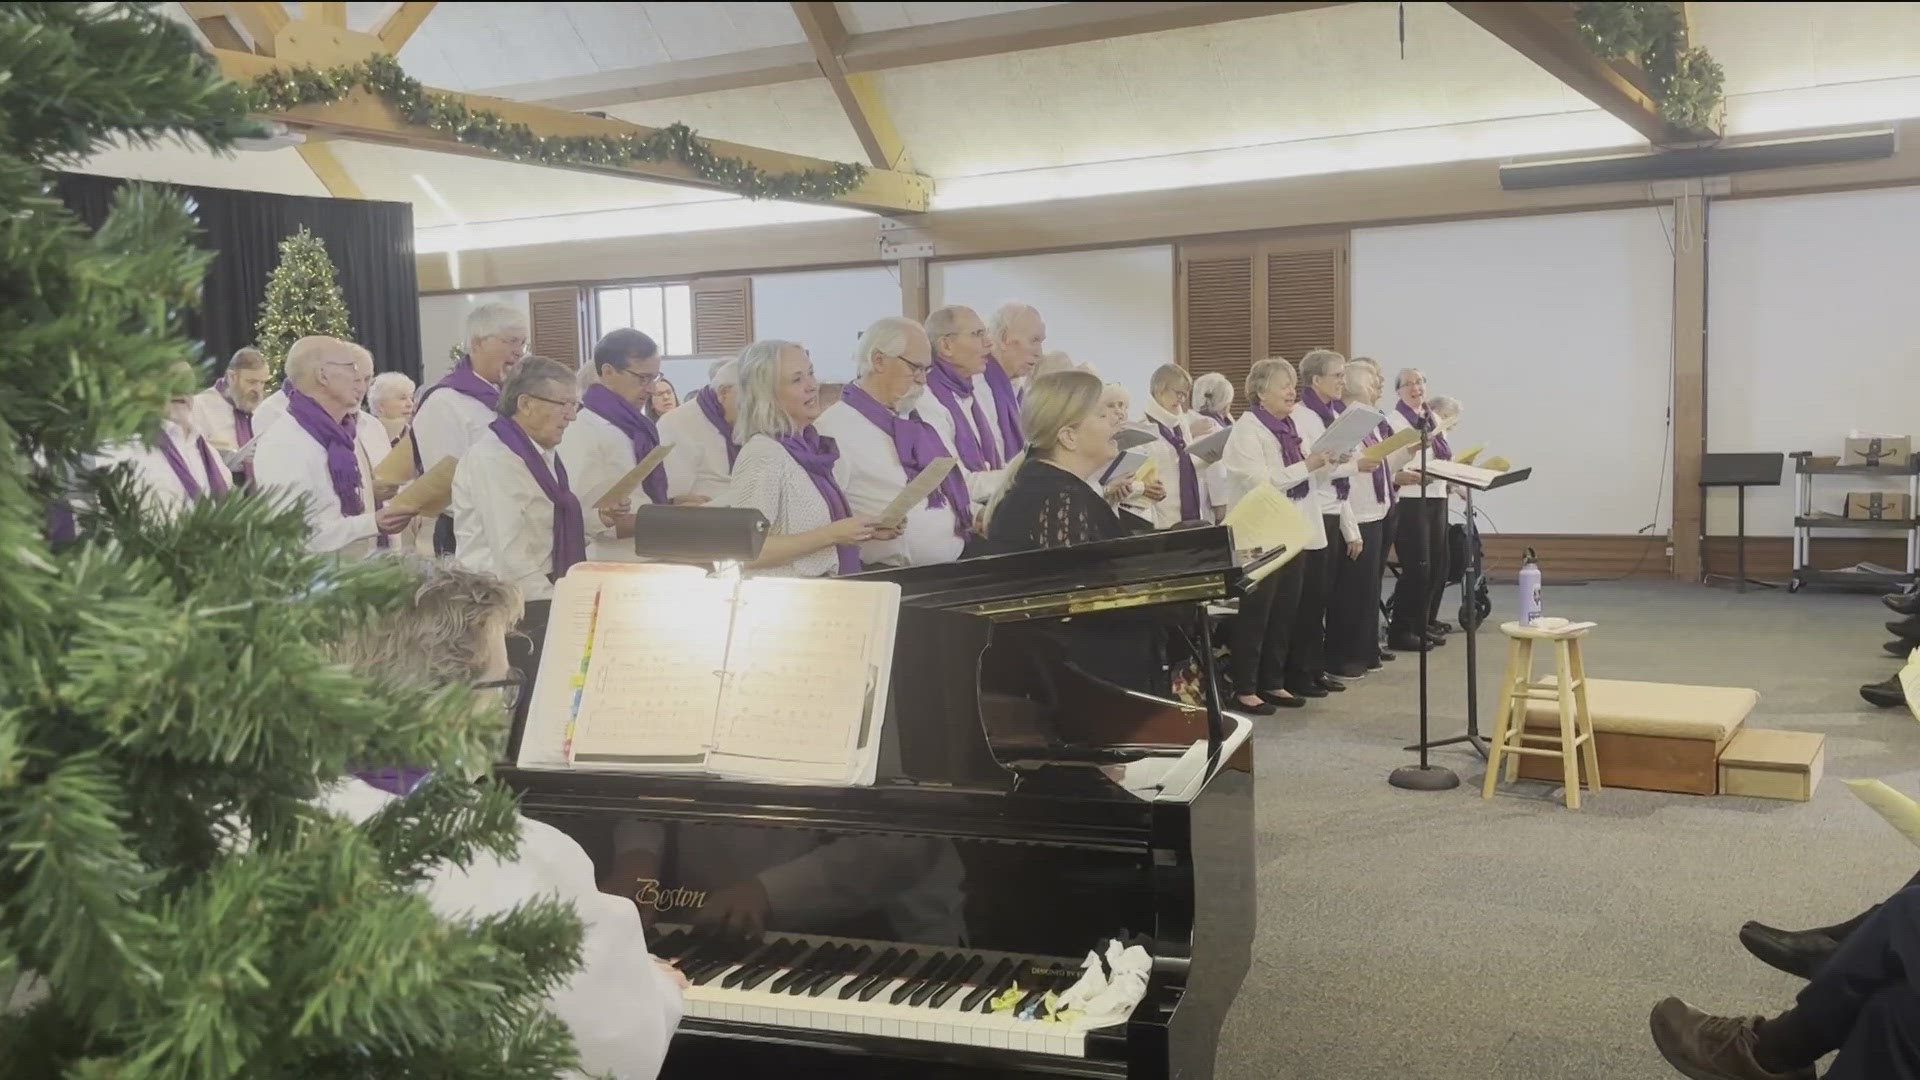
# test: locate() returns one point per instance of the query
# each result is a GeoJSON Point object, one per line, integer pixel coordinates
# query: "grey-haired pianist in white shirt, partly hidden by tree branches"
{"type": "Point", "coordinates": [621, 1004]}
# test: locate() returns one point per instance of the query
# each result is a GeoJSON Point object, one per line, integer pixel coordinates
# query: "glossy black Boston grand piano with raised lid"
{"type": "Point", "coordinates": [1028, 812]}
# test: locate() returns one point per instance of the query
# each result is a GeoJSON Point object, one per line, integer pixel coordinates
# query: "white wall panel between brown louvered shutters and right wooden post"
{"type": "Point", "coordinates": [1556, 337]}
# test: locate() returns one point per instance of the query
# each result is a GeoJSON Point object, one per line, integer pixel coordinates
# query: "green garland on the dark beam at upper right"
{"type": "Point", "coordinates": [1687, 82]}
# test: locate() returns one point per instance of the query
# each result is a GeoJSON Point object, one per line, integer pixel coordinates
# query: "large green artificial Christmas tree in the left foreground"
{"type": "Point", "coordinates": [172, 900]}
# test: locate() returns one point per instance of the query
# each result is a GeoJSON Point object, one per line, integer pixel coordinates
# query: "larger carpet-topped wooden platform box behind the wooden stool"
{"type": "Point", "coordinates": [1652, 737]}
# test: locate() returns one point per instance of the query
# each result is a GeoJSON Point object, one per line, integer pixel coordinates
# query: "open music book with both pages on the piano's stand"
{"type": "Point", "coordinates": [654, 668]}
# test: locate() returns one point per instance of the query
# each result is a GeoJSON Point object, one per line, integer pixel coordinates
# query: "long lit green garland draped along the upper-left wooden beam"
{"type": "Point", "coordinates": [381, 76]}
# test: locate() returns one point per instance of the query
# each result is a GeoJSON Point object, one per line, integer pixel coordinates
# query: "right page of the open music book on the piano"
{"type": "Point", "coordinates": [802, 679]}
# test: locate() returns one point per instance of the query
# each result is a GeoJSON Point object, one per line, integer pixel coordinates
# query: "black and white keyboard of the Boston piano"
{"type": "Point", "coordinates": [878, 989]}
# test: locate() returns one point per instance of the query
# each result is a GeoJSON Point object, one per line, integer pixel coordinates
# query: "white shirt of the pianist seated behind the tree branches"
{"type": "Point", "coordinates": [619, 1004]}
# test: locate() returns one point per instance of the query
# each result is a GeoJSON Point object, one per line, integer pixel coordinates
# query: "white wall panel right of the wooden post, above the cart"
{"type": "Point", "coordinates": [1812, 331]}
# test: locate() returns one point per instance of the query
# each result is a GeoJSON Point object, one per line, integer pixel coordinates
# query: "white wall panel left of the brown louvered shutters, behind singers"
{"type": "Point", "coordinates": [1111, 308]}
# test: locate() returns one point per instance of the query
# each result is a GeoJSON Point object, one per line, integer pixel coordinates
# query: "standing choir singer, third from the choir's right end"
{"type": "Point", "coordinates": [1355, 606]}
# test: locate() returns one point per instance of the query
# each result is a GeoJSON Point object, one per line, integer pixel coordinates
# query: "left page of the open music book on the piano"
{"type": "Point", "coordinates": [654, 679]}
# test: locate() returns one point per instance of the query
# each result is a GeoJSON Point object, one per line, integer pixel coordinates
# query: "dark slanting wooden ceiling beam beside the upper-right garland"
{"type": "Point", "coordinates": [1547, 36]}
